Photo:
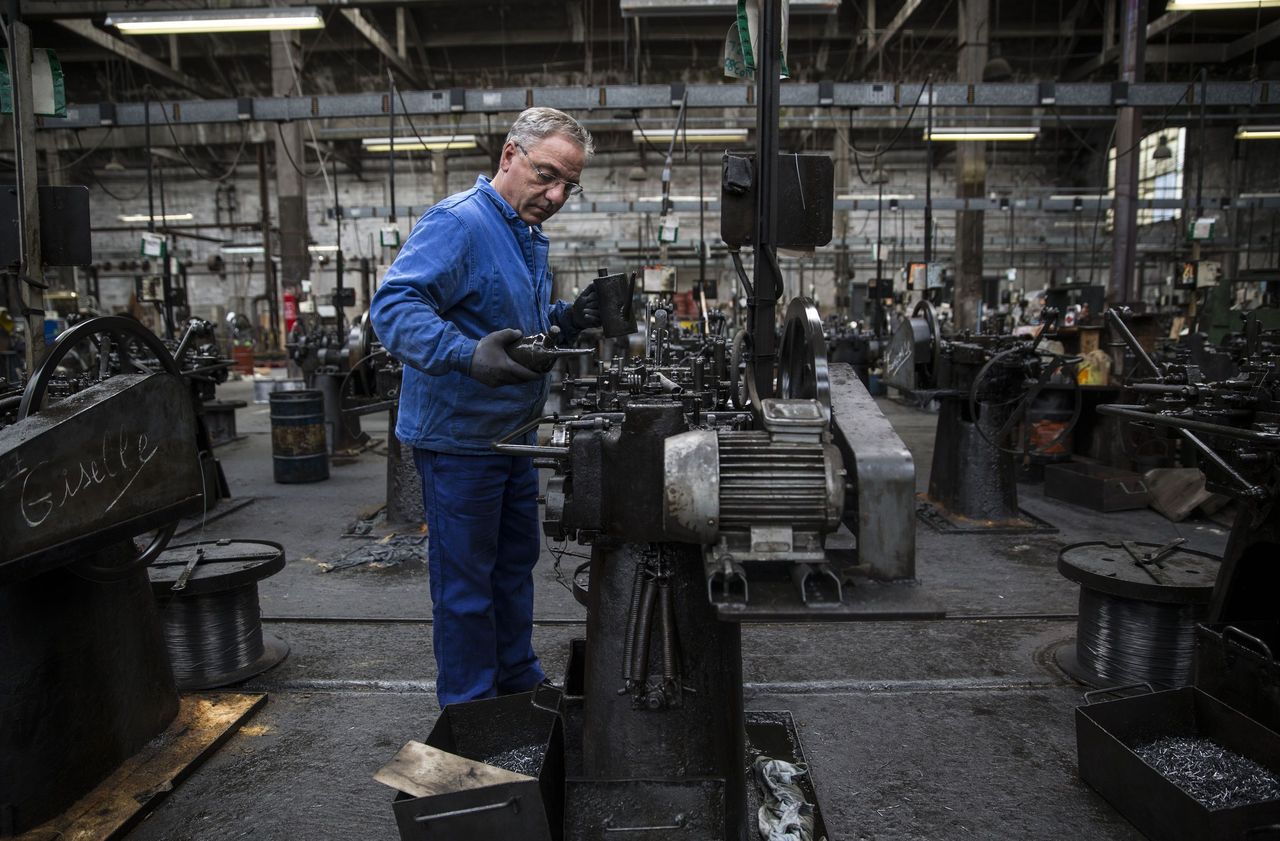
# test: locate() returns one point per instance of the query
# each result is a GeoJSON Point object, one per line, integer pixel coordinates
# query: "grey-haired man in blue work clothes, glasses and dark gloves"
{"type": "Point", "coordinates": [472, 280]}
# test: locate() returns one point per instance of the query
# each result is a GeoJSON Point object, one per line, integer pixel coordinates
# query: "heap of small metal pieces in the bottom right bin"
{"type": "Point", "coordinates": [1209, 773]}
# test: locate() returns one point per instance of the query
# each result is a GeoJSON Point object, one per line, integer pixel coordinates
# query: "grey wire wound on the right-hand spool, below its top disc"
{"type": "Point", "coordinates": [1132, 642]}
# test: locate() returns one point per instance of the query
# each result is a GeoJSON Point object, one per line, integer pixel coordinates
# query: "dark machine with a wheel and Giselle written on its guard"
{"type": "Point", "coordinates": [88, 465]}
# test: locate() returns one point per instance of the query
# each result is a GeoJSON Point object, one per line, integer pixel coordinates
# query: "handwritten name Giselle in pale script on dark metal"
{"type": "Point", "coordinates": [47, 488]}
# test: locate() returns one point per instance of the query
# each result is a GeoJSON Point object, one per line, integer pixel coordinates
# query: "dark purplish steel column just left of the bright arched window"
{"type": "Point", "coordinates": [1121, 285]}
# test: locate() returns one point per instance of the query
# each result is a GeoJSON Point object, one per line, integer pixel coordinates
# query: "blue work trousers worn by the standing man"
{"type": "Point", "coordinates": [483, 542]}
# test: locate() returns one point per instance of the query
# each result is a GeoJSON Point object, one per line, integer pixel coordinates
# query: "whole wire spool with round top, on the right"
{"type": "Point", "coordinates": [1140, 605]}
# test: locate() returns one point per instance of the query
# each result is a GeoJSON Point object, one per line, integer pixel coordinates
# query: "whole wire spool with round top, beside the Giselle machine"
{"type": "Point", "coordinates": [208, 598]}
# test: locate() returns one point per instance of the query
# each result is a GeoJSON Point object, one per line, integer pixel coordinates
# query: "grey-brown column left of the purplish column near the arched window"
{"type": "Point", "coordinates": [975, 35]}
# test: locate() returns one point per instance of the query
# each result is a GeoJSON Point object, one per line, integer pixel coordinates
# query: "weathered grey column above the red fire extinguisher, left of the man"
{"type": "Point", "coordinates": [291, 186]}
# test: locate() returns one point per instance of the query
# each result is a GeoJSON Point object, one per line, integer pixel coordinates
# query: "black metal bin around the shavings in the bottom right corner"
{"type": "Point", "coordinates": [1109, 733]}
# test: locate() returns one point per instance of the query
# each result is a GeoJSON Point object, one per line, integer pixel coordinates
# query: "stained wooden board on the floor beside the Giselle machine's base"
{"type": "Point", "coordinates": [121, 802]}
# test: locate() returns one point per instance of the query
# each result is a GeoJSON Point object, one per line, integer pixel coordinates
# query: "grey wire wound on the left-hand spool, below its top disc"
{"type": "Point", "coordinates": [214, 636]}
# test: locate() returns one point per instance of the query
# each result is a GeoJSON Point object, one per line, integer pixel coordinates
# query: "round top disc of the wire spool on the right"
{"type": "Point", "coordinates": [1181, 578]}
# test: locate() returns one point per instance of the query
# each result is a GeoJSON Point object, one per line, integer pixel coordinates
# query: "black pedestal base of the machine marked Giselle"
{"type": "Point", "coordinates": [85, 680]}
